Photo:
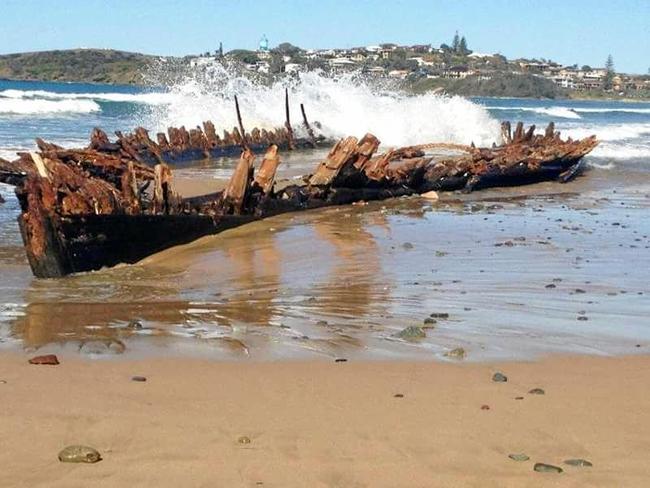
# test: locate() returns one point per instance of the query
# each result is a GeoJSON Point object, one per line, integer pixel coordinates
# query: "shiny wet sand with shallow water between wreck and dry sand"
{"type": "Point", "coordinates": [520, 272]}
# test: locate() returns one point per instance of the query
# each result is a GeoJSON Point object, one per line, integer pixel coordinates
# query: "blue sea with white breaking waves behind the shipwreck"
{"type": "Point", "coordinates": [65, 113]}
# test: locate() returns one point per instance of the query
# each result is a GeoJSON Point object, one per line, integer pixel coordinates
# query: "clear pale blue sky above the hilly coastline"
{"type": "Point", "coordinates": [568, 31]}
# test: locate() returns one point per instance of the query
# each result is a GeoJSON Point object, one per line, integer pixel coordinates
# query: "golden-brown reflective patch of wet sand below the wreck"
{"type": "Point", "coordinates": [227, 289]}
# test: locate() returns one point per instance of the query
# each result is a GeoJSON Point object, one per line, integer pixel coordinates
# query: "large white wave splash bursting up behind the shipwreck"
{"type": "Point", "coordinates": [345, 105]}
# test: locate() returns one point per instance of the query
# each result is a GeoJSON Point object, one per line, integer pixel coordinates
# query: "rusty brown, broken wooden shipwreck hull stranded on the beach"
{"type": "Point", "coordinates": [111, 203]}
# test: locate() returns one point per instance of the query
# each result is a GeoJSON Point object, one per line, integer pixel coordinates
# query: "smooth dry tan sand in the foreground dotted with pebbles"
{"type": "Point", "coordinates": [324, 423]}
